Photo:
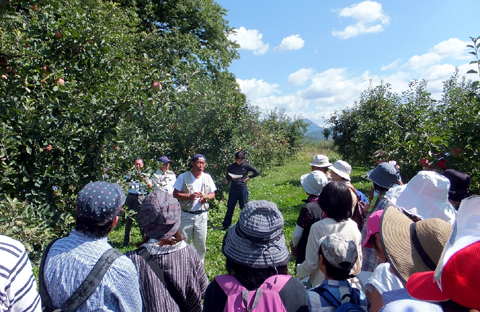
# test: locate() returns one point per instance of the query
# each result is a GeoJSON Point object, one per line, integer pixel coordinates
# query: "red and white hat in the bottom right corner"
{"type": "Point", "coordinates": [457, 276]}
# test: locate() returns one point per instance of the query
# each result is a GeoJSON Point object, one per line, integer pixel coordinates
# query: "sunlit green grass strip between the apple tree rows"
{"type": "Point", "coordinates": [280, 185]}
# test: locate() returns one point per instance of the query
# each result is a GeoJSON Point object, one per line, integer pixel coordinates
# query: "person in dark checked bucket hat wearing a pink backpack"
{"type": "Point", "coordinates": [257, 265]}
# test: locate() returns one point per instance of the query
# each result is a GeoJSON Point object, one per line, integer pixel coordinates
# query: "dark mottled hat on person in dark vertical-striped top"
{"type": "Point", "coordinates": [159, 216]}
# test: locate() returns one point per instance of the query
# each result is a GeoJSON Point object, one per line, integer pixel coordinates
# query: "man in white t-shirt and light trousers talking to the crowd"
{"type": "Point", "coordinates": [194, 189]}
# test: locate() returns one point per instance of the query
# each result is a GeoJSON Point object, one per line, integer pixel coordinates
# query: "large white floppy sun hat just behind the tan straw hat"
{"type": "Point", "coordinates": [425, 196]}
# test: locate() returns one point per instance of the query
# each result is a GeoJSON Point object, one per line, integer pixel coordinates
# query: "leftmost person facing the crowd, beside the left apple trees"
{"type": "Point", "coordinates": [136, 194]}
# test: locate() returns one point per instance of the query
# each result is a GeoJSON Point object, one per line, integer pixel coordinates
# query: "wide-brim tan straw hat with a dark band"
{"type": "Point", "coordinates": [412, 247]}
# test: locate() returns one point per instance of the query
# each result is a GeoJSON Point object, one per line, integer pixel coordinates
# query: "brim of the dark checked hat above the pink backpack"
{"type": "Point", "coordinates": [244, 252]}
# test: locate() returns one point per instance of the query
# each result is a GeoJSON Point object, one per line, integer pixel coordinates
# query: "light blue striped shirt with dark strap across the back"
{"type": "Point", "coordinates": [71, 259]}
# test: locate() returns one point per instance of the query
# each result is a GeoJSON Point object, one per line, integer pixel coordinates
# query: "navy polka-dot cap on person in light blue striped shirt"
{"type": "Point", "coordinates": [100, 202]}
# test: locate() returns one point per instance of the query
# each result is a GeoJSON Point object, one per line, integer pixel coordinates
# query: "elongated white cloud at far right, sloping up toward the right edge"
{"type": "Point", "coordinates": [453, 48]}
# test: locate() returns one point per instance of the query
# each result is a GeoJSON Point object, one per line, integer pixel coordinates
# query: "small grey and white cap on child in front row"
{"type": "Point", "coordinates": [339, 251]}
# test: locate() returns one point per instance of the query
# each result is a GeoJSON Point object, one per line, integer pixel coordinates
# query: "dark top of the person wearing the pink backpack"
{"type": "Point", "coordinates": [293, 295]}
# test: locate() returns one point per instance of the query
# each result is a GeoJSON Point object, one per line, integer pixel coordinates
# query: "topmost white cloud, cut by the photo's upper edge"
{"type": "Point", "coordinates": [370, 19]}
